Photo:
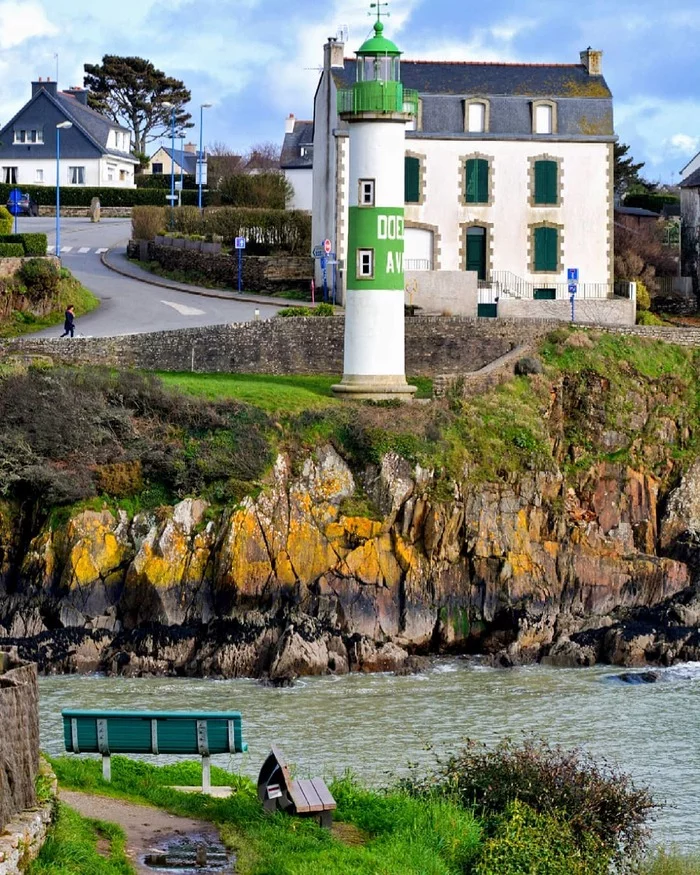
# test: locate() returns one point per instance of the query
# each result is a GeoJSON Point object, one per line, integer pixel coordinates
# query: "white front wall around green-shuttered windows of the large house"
{"type": "Point", "coordinates": [584, 213]}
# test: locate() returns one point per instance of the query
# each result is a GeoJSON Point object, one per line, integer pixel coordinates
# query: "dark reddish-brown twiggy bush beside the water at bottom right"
{"type": "Point", "coordinates": [596, 802]}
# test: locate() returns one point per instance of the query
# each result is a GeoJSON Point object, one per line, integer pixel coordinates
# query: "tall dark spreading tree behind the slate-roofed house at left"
{"type": "Point", "coordinates": [131, 91]}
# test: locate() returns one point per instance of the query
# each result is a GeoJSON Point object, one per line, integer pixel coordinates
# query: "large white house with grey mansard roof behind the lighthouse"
{"type": "Point", "coordinates": [508, 174]}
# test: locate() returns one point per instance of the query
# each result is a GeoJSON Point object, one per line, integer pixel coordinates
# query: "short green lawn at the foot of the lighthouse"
{"type": "Point", "coordinates": [273, 394]}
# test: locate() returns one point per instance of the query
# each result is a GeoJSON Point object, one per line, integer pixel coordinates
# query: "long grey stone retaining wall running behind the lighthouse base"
{"type": "Point", "coordinates": [314, 345]}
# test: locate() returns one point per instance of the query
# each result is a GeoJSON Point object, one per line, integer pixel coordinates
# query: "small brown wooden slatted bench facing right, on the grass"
{"type": "Point", "coordinates": [277, 790]}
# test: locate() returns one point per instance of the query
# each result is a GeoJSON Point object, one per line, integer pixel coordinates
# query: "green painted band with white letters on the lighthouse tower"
{"type": "Point", "coordinates": [380, 229]}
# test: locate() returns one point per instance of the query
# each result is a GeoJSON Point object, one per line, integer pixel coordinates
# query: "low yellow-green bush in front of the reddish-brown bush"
{"type": "Point", "coordinates": [524, 841]}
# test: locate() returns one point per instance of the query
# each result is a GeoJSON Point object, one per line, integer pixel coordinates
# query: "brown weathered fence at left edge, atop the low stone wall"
{"type": "Point", "coordinates": [19, 735]}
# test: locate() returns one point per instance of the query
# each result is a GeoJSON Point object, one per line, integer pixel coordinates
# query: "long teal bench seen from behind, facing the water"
{"type": "Point", "coordinates": [154, 732]}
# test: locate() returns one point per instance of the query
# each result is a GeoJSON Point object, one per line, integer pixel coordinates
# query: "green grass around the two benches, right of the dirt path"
{"type": "Point", "coordinates": [392, 833]}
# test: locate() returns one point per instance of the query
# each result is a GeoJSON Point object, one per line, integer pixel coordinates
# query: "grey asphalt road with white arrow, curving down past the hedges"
{"type": "Point", "coordinates": [129, 306]}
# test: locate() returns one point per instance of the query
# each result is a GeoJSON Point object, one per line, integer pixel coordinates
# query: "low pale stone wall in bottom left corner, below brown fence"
{"type": "Point", "coordinates": [24, 836]}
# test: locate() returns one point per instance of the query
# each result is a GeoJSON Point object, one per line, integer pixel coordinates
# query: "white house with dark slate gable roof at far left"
{"type": "Point", "coordinates": [94, 151]}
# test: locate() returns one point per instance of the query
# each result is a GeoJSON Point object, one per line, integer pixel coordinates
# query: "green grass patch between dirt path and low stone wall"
{"type": "Point", "coordinates": [71, 848]}
